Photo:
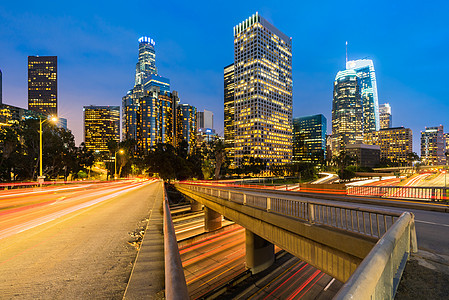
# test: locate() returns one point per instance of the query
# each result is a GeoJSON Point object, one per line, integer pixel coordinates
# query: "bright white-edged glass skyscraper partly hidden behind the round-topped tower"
{"type": "Point", "coordinates": [370, 103]}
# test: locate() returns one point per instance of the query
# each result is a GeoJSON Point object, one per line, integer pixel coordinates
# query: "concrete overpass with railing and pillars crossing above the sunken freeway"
{"type": "Point", "coordinates": [365, 248]}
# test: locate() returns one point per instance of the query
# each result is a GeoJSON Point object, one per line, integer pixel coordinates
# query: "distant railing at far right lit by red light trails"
{"type": "Point", "coordinates": [404, 192]}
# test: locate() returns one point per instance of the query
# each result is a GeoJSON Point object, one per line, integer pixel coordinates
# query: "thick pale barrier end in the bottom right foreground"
{"type": "Point", "coordinates": [378, 275]}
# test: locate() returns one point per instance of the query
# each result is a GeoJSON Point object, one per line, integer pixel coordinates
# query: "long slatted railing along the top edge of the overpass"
{"type": "Point", "coordinates": [364, 221]}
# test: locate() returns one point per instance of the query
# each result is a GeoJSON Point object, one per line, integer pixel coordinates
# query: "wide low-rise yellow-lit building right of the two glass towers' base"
{"type": "Point", "coordinates": [395, 143]}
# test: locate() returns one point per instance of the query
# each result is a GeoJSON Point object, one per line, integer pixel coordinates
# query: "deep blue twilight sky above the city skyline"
{"type": "Point", "coordinates": [96, 44]}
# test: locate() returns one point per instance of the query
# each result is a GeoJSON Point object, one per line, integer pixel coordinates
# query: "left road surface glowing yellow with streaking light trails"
{"type": "Point", "coordinates": [72, 242]}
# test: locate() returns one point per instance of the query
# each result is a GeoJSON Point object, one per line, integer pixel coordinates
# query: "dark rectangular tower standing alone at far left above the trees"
{"type": "Point", "coordinates": [43, 84]}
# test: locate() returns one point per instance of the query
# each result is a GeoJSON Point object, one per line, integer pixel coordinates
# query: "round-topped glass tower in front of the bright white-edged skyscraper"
{"type": "Point", "coordinates": [347, 111]}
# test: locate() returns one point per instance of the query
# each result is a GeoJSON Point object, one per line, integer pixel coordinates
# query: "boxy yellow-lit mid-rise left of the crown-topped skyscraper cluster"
{"type": "Point", "coordinates": [101, 124]}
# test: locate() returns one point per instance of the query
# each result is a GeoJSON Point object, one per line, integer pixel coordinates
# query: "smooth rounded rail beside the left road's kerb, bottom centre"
{"type": "Point", "coordinates": [175, 281]}
